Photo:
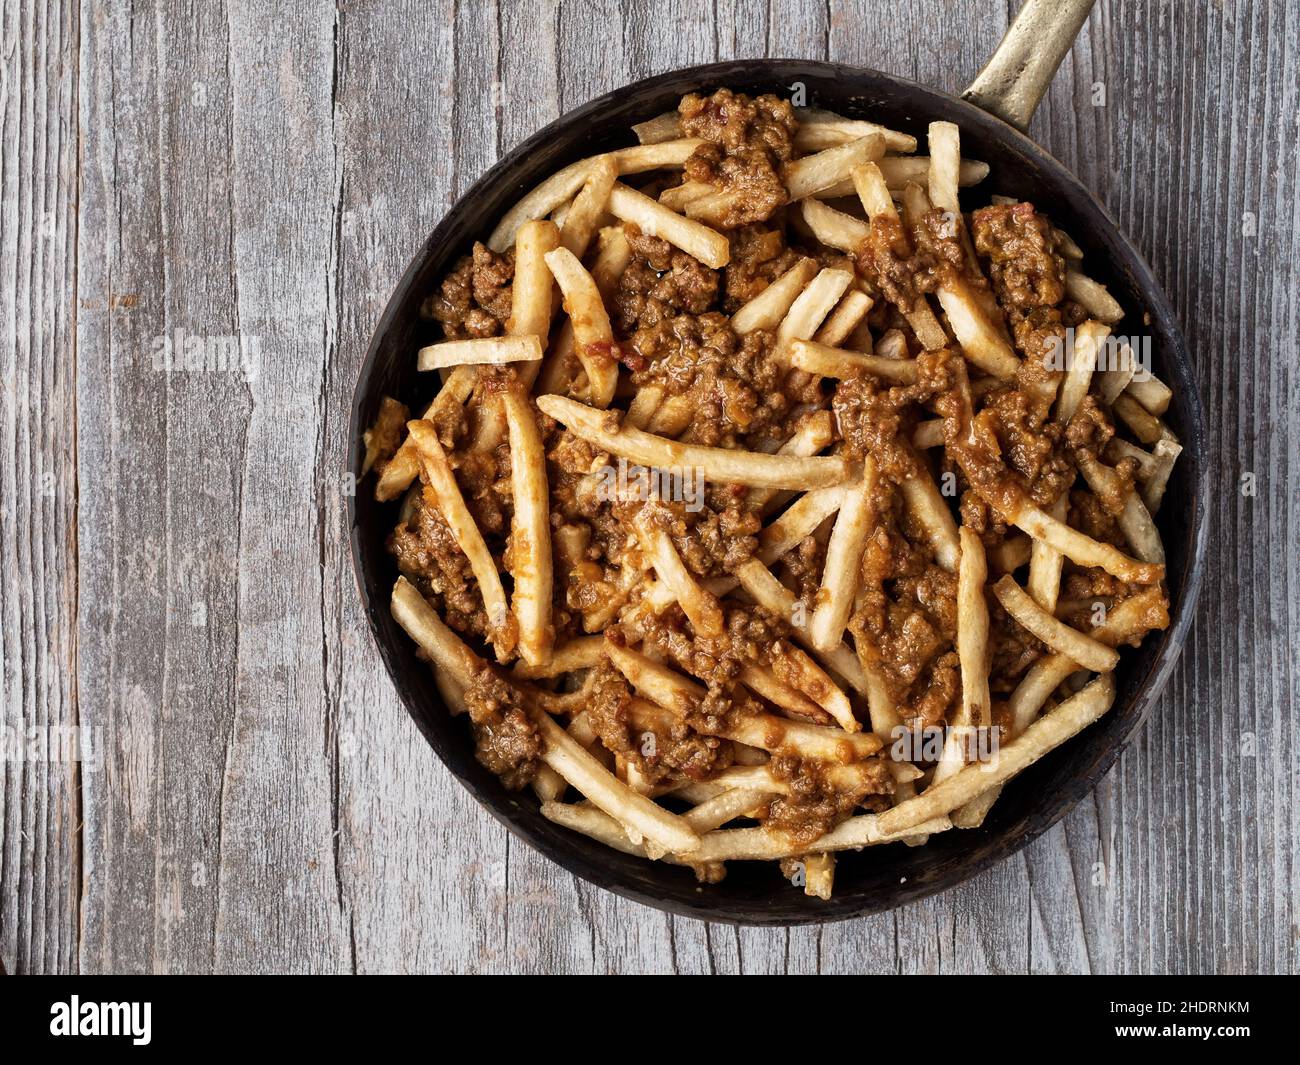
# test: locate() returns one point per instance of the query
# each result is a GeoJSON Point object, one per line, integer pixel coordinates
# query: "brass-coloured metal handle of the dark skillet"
{"type": "Point", "coordinates": [1017, 75]}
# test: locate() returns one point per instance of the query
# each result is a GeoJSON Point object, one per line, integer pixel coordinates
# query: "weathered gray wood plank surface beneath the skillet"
{"type": "Point", "coordinates": [174, 566]}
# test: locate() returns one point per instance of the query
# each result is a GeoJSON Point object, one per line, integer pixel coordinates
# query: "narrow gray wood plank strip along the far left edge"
{"type": "Point", "coordinates": [41, 859]}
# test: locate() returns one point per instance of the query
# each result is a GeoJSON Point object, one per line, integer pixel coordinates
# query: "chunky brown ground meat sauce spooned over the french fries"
{"type": "Point", "coordinates": [671, 322]}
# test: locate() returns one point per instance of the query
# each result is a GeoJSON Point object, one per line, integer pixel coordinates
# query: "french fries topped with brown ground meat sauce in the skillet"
{"type": "Point", "coordinates": [770, 504]}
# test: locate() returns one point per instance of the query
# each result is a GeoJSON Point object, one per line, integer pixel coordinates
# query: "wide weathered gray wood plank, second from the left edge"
{"type": "Point", "coordinates": [202, 653]}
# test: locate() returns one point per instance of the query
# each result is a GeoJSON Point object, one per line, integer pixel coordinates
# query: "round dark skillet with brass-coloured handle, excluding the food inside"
{"type": "Point", "coordinates": [879, 878]}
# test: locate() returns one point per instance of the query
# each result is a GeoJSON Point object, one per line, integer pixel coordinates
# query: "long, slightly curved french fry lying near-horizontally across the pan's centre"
{"type": "Point", "coordinates": [716, 464]}
